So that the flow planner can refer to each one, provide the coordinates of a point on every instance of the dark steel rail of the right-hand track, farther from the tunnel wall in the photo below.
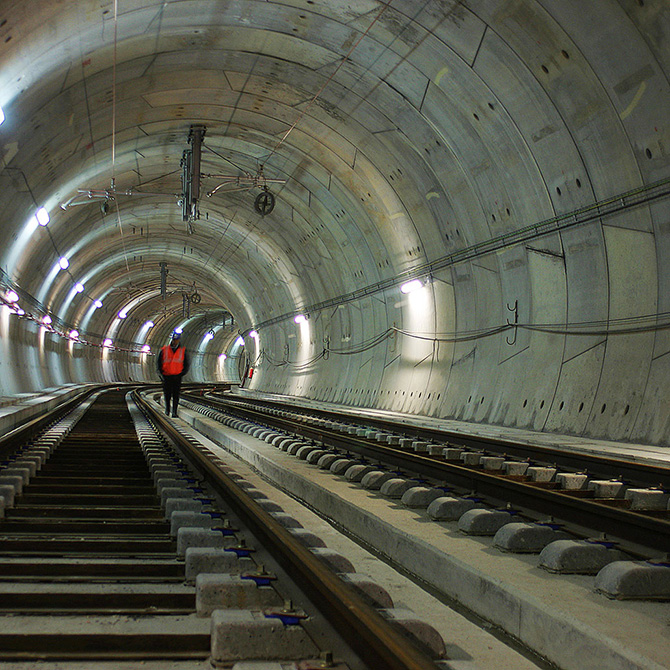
(640, 529)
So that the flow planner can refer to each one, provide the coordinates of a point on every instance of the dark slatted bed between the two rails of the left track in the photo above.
(88, 566)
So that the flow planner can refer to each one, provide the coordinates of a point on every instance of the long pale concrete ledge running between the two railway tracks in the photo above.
(555, 619)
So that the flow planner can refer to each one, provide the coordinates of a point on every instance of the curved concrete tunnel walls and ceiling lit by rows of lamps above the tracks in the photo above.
(448, 209)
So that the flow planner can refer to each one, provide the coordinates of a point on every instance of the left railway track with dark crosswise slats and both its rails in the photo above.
(123, 541)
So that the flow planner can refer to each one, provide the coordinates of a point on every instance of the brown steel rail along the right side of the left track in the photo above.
(371, 636)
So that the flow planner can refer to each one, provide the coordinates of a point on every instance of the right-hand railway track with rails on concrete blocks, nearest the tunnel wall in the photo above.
(565, 491)
